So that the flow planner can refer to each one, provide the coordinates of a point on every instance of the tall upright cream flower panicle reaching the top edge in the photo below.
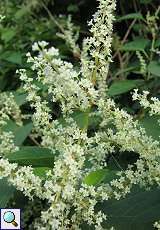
(98, 46)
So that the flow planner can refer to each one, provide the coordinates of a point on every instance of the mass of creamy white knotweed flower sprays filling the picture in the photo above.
(68, 187)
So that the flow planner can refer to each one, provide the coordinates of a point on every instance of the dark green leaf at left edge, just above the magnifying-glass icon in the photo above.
(6, 193)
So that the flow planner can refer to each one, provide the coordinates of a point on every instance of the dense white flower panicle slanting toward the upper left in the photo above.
(63, 82)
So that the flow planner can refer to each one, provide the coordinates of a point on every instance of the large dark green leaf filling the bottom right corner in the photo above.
(139, 210)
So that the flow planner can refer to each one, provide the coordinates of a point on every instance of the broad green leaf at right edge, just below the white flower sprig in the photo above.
(150, 123)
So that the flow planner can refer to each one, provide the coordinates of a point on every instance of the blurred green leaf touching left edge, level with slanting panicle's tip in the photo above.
(12, 56)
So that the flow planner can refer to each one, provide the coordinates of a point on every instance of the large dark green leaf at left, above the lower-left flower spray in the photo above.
(35, 156)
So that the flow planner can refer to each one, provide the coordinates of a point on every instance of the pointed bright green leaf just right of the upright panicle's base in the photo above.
(120, 87)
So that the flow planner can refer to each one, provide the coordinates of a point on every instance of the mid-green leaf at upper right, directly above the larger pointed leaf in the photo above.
(139, 44)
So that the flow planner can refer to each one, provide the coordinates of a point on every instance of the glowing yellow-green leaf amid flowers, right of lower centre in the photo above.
(98, 176)
